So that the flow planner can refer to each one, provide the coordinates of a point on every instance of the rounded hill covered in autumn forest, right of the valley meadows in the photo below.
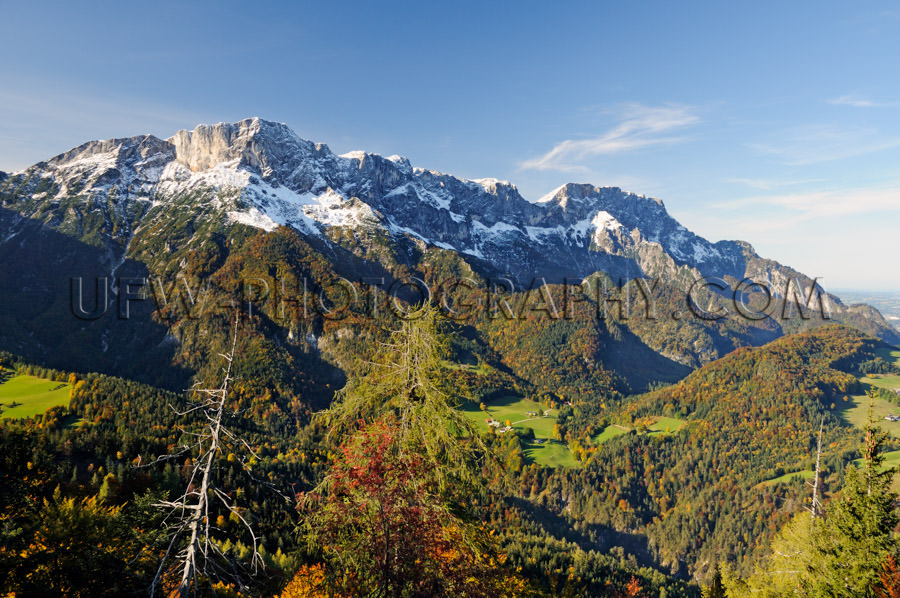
(749, 417)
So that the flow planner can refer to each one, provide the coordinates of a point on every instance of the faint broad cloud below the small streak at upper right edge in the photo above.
(801, 146)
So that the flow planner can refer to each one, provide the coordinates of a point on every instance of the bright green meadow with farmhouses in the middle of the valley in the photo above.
(515, 410)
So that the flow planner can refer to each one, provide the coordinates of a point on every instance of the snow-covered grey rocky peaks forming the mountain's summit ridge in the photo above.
(285, 180)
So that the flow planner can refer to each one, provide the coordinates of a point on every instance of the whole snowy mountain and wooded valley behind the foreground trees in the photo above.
(638, 433)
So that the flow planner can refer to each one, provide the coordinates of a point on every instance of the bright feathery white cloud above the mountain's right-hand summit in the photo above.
(640, 126)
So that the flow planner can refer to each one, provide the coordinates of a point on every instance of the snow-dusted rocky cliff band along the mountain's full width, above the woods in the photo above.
(261, 174)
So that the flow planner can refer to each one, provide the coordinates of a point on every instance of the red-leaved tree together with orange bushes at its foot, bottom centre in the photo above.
(383, 529)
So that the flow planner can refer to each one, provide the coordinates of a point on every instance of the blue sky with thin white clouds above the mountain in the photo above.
(777, 123)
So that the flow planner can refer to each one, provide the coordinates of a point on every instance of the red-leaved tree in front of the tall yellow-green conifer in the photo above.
(380, 525)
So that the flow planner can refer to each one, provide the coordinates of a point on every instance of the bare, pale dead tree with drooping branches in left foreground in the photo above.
(189, 514)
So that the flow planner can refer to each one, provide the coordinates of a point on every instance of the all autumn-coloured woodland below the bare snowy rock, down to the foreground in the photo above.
(356, 458)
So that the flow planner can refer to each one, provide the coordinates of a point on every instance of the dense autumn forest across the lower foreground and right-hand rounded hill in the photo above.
(390, 491)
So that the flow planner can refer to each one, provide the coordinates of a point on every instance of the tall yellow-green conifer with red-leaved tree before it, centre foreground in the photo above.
(390, 517)
